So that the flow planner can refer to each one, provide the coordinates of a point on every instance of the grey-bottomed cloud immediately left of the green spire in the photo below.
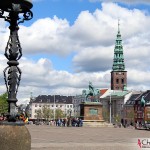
(94, 59)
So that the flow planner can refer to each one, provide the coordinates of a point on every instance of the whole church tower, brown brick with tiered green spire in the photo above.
(118, 73)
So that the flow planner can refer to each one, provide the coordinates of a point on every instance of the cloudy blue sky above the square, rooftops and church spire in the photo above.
(71, 42)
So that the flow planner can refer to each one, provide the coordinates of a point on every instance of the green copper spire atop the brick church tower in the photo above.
(118, 62)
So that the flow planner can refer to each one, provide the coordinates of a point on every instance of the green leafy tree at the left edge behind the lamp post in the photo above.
(3, 103)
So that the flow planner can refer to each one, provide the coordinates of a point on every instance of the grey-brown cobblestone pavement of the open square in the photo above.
(84, 138)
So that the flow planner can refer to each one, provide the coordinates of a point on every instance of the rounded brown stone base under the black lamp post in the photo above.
(14, 136)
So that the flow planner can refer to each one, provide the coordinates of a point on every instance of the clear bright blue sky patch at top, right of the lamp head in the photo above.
(68, 9)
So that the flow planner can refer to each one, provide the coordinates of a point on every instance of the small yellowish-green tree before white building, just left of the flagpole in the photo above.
(47, 113)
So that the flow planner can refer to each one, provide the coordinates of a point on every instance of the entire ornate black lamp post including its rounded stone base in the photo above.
(14, 135)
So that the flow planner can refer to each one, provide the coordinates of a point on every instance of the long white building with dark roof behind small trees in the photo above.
(53, 102)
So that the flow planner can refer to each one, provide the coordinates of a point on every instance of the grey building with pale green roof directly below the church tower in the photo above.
(113, 102)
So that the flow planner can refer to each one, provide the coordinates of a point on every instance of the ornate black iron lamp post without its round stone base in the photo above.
(17, 12)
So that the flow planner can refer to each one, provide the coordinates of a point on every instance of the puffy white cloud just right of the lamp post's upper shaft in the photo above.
(46, 36)
